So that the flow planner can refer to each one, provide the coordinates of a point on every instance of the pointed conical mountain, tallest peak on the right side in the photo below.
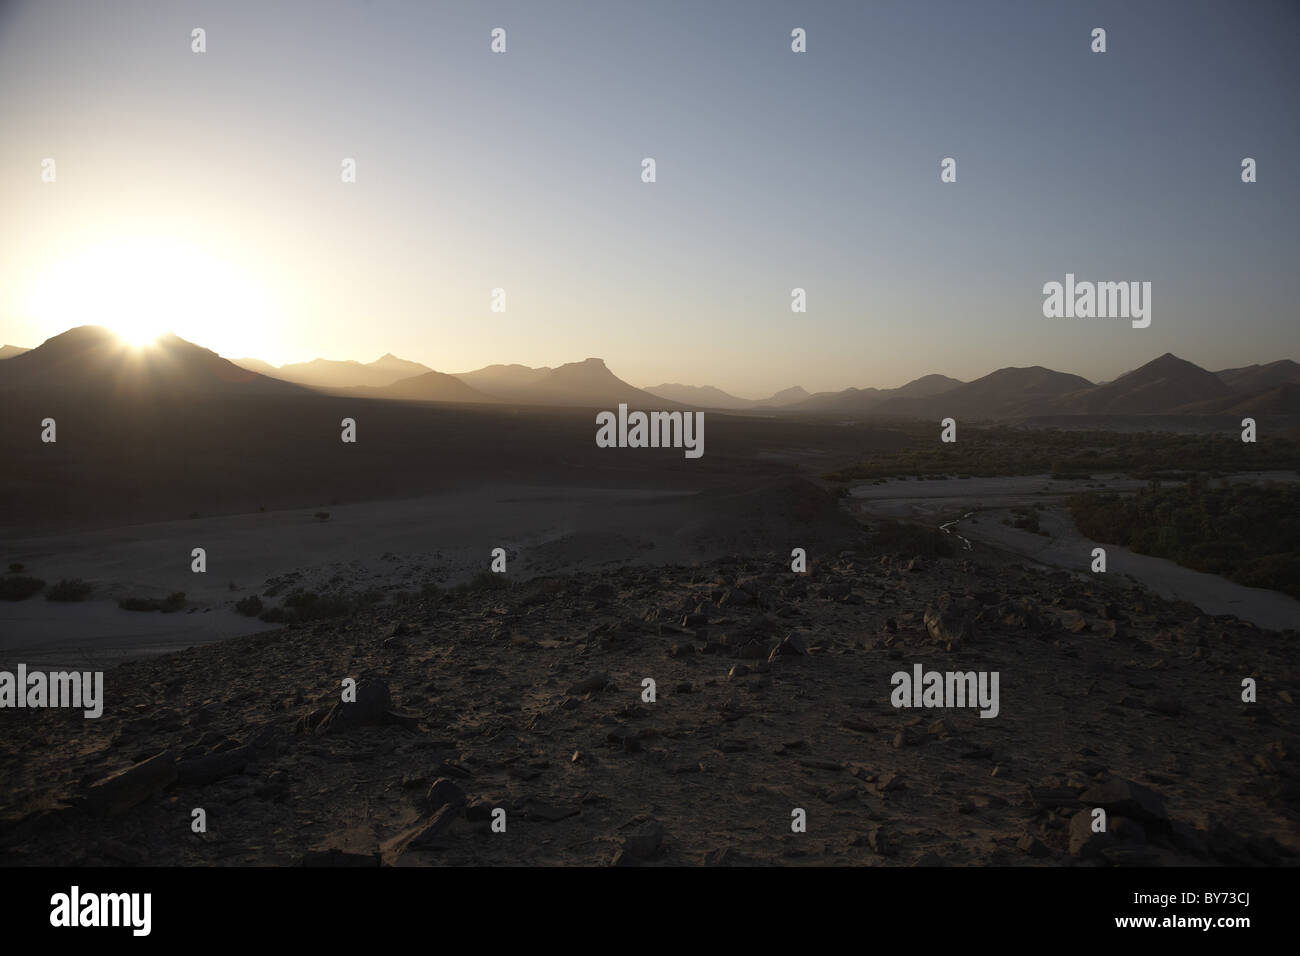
(1162, 386)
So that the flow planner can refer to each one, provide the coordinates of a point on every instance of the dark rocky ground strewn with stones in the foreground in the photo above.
(773, 694)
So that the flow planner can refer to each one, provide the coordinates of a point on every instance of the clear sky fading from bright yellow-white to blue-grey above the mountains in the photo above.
(202, 193)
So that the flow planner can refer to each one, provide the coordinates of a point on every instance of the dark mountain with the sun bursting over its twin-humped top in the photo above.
(94, 360)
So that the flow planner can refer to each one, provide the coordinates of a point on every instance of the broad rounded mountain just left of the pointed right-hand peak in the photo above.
(1007, 393)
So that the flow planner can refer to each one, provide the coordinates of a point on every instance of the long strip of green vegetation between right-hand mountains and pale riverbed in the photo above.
(1068, 455)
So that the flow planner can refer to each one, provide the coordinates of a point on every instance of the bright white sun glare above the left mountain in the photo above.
(141, 289)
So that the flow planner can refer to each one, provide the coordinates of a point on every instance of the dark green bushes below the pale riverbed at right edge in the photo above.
(1246, 533)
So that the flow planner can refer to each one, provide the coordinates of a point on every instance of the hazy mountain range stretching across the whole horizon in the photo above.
(92, 358)
